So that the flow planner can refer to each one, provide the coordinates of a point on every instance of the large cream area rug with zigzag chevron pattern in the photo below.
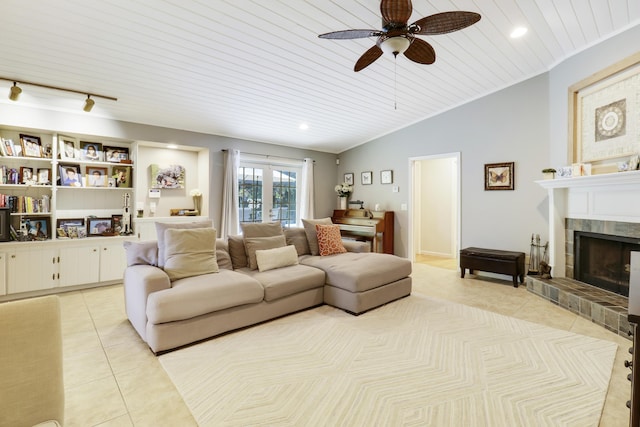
(418, 361)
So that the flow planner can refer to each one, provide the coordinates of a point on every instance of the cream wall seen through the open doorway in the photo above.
(437, 198)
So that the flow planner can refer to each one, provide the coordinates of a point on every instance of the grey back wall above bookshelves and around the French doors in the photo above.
(30, 118)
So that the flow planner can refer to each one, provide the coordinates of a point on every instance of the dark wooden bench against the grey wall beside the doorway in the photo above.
(493, 261)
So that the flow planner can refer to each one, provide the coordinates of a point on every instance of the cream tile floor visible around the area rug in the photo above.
(112, 379)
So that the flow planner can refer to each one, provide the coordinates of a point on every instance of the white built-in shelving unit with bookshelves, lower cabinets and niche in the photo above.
(53, 263)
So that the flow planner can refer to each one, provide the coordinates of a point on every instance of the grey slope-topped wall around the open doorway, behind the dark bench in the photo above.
(511, 125)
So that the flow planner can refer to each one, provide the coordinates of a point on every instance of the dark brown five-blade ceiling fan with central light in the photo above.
(397, 37)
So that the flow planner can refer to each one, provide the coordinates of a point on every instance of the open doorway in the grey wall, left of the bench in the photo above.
(434, 213)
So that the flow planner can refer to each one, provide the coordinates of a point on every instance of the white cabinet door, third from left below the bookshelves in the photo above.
(79, 265)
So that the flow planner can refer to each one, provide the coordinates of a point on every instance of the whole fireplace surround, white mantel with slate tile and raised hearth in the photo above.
(605, 204)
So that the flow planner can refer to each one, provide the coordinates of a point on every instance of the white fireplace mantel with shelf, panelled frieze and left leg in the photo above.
(605, 197)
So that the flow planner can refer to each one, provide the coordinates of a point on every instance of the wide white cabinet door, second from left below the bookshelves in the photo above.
(32, 270)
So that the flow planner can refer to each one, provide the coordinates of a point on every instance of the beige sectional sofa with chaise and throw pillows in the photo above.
(175, 295)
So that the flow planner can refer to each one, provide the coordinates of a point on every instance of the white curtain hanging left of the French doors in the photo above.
(229, 223)
